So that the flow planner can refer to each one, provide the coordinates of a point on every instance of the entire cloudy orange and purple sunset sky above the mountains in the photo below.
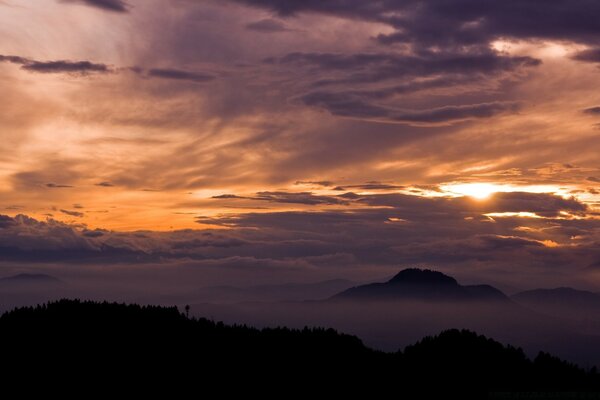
(271, 140)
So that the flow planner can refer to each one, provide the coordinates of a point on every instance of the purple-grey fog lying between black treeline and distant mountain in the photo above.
(382, 325)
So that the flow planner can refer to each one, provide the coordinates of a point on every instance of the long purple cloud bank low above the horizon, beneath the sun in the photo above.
(371, 231)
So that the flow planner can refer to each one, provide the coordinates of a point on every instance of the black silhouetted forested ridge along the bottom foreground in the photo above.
(108, 345)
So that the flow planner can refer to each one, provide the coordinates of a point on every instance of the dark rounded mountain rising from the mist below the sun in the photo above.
(422, 284)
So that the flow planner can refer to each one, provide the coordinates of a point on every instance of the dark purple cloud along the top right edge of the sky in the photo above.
(459, 23)
